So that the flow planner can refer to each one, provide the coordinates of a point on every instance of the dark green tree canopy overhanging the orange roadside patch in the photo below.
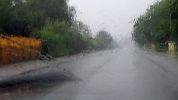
(25, 16)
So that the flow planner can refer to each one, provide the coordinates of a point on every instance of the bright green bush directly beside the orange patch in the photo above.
(61, 40)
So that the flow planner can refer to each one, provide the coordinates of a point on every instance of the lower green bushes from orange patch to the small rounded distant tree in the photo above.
(64, 40)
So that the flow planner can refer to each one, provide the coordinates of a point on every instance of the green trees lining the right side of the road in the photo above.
(158, 25)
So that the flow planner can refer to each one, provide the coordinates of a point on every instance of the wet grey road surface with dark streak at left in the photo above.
(127, 73)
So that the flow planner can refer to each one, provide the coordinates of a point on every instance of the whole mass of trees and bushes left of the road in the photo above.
(53, 21)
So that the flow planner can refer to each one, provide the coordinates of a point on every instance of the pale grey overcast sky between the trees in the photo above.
(111, 15)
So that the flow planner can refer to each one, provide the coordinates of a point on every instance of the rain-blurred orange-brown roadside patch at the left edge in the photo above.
(15, 49)
